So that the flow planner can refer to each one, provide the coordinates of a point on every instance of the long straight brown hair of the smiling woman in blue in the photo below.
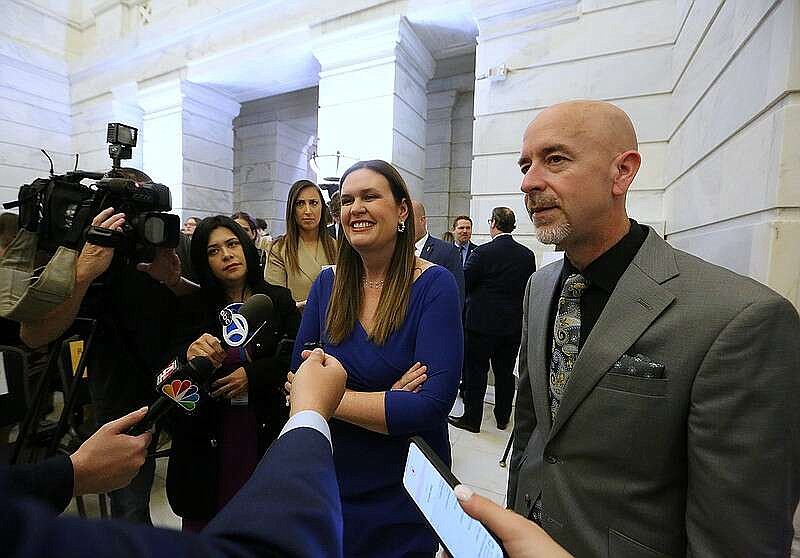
(347, 296)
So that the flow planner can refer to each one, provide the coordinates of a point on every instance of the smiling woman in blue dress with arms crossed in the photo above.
(392, 320)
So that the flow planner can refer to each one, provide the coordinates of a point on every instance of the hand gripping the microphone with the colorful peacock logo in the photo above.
(110, 458)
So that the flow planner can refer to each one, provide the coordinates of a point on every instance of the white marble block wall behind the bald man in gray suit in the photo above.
(717, 126)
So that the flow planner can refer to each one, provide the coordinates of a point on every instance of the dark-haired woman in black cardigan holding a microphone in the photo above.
(215, 451)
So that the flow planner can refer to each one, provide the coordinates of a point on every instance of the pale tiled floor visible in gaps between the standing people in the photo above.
(475, 463)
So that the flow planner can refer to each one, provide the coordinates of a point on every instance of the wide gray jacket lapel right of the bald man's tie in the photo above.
(638, 299)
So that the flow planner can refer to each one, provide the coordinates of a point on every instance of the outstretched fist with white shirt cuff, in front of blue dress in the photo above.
(318, 384)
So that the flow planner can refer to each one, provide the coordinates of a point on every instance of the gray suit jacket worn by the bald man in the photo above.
(702, 462)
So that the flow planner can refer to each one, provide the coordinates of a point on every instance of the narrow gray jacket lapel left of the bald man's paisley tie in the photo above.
(542, 292)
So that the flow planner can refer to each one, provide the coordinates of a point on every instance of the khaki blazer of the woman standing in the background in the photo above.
(310, 260)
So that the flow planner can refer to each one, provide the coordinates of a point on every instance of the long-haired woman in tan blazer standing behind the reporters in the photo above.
(296, 258)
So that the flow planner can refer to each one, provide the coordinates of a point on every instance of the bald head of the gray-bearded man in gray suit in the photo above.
(578, 161)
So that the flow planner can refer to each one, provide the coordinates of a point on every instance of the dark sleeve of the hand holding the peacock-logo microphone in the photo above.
(50, 481)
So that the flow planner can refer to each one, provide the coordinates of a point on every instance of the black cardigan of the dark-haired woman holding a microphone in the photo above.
(192, 474)
